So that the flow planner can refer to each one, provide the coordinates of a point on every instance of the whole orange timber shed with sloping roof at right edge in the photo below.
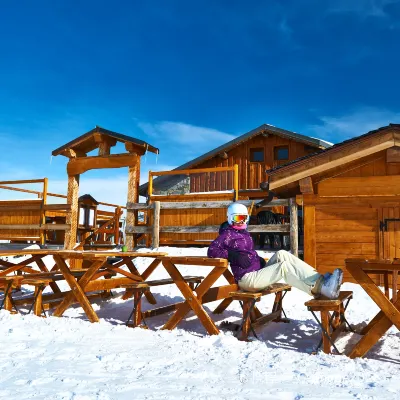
(350, 195)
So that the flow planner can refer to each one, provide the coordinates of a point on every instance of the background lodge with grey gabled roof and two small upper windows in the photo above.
(254, 153)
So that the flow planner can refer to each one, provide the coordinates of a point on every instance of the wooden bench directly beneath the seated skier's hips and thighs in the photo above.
(252, 318)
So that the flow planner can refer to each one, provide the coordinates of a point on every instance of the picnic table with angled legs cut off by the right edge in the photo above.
(390, 310)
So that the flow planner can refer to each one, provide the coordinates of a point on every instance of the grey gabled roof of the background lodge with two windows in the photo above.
(262, 129)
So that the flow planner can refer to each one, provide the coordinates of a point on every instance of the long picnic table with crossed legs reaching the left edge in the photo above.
(89, 280)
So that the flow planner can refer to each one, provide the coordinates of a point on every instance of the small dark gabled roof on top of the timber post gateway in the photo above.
(87, 142)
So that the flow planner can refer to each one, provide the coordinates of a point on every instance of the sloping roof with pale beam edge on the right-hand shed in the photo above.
(333, 157)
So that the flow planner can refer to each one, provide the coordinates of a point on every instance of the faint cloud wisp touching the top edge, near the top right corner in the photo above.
(363, 8)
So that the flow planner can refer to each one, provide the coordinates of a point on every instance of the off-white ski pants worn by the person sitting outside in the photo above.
(282, 265)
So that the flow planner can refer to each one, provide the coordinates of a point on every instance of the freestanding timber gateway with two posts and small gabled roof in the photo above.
(79, 162)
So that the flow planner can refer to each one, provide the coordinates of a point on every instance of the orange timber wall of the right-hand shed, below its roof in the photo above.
(342, 220)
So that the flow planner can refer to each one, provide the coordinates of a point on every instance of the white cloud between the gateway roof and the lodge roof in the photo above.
(182, 133)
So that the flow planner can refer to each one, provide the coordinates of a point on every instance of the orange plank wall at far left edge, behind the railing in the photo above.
(12, 213)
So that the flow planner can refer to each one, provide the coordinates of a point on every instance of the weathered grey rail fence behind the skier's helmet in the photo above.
(155, 228)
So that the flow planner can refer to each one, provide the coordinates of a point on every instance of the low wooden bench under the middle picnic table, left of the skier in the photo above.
(140, 288)
